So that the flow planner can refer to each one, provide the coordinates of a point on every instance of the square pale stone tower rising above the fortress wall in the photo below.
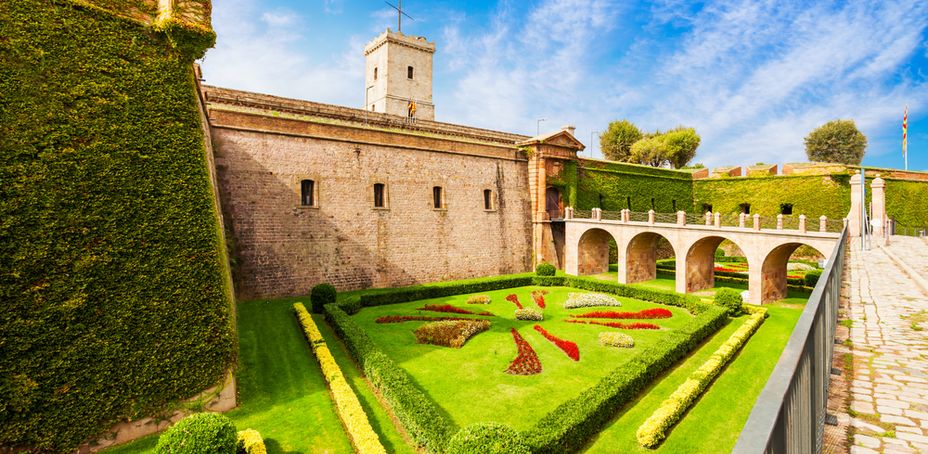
(398, 68)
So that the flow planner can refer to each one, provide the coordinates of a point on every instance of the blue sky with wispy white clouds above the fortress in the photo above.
(753, 77)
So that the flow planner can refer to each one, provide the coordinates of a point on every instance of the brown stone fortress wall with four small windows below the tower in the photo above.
(283, 248)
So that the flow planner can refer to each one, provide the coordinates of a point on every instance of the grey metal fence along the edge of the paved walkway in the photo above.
(789, 415)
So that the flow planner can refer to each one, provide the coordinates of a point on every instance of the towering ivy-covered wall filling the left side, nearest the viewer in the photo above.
(112, 281)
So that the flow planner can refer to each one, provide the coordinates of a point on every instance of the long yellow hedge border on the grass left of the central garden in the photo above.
(349, 409)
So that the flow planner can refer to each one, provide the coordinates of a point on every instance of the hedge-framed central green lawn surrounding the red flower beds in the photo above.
(470, 383)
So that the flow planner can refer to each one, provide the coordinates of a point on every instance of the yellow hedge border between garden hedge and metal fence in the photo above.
(653, 431)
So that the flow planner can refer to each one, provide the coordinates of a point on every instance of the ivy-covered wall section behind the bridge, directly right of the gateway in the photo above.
(614, 186)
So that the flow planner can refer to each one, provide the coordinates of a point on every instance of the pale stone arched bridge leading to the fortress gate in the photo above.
(587, 235)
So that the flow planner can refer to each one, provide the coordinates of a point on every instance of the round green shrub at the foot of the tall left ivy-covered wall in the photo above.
(200, 433)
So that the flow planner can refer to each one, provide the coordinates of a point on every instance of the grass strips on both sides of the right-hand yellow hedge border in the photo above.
(717, 418)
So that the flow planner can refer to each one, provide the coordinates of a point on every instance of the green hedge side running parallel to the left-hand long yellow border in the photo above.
(419, 415)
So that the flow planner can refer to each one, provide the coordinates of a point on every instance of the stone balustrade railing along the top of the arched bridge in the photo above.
(780, 222)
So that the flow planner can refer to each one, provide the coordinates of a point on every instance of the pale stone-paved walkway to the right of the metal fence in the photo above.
(889, 335)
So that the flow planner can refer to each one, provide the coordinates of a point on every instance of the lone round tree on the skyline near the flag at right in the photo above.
(837, 141)
